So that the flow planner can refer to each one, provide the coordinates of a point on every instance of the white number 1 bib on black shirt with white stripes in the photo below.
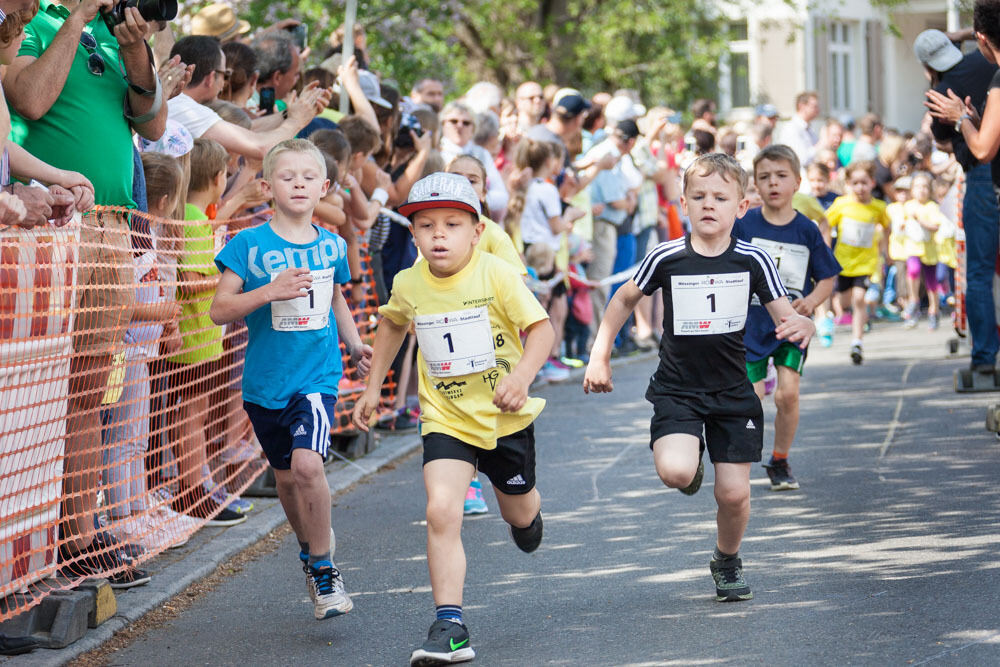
(710, 304)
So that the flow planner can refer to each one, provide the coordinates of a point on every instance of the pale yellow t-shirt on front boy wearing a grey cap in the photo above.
(462, 405)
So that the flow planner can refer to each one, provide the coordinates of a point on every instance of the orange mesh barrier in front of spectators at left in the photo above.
(120, 409)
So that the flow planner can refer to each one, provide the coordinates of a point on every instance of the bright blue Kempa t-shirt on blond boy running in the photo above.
(294, 347)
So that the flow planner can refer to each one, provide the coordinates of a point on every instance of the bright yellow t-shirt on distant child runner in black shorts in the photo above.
(858, 227)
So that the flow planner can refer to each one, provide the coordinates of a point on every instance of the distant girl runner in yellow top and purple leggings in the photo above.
(923, 220)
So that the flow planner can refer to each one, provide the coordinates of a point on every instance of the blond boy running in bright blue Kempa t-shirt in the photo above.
(284, 277)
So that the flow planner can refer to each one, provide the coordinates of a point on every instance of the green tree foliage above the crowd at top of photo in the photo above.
(667, 49)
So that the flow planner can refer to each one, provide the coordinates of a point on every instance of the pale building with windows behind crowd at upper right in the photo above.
(843, 49)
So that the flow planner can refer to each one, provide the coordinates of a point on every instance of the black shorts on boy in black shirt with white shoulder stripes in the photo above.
(732, 420)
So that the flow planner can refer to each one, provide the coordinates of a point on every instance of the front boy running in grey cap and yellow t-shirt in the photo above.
(469, 308)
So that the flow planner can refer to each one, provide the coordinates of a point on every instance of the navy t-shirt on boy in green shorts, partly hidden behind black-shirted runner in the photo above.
(802, 258)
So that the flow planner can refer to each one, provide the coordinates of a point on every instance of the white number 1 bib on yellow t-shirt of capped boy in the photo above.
(456, 343)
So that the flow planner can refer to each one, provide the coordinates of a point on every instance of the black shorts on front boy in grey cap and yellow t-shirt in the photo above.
(510, 467)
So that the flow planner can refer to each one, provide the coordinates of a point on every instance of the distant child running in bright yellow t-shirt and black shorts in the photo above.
(857, 217)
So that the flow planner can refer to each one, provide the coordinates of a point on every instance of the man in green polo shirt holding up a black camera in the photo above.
(83, 81)
